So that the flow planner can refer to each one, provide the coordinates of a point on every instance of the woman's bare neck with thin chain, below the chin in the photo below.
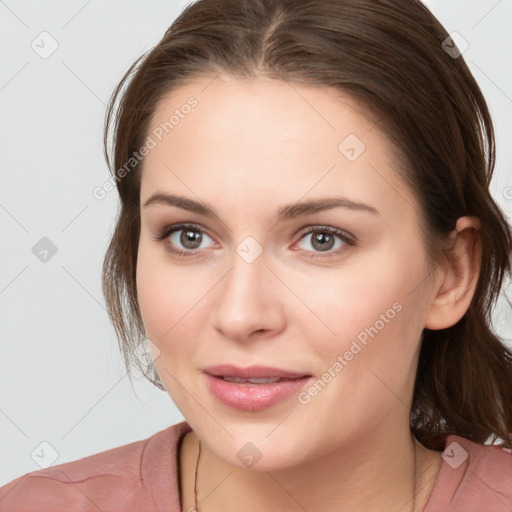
(366, 475)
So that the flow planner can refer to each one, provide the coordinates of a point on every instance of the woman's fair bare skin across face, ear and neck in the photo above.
(247, 148)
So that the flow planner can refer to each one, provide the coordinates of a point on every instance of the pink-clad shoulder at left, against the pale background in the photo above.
(117, 479)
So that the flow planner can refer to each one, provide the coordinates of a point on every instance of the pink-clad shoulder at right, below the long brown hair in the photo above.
(473, 477)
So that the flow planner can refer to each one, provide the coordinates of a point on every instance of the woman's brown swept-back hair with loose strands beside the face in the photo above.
(388, 55)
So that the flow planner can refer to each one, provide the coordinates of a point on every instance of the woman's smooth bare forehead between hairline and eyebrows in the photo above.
(269, 139)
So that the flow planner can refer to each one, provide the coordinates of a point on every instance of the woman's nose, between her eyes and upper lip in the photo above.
(249, 300)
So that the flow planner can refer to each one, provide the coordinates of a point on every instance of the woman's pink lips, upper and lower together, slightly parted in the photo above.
(253, 397)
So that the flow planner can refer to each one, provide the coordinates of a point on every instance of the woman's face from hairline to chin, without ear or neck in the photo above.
(337, 292)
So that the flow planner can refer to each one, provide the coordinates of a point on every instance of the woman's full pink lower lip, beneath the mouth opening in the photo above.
(253, 397)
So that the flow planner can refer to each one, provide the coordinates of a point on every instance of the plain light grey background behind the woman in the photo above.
(61, 375)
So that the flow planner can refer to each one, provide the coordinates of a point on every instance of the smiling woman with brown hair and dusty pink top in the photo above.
(308, 243)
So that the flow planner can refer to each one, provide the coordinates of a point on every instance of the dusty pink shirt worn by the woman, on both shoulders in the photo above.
(142, 476)
